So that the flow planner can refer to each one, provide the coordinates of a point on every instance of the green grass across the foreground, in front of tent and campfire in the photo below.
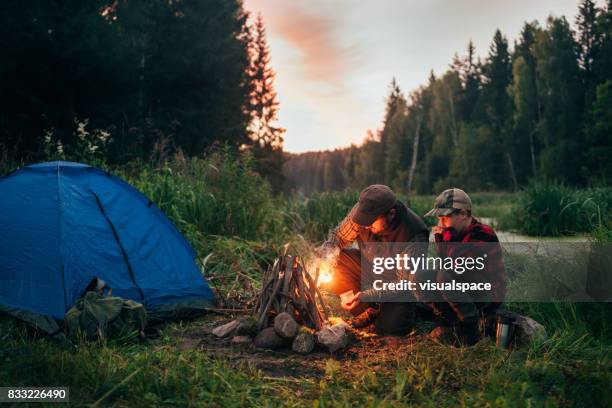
(571, 368)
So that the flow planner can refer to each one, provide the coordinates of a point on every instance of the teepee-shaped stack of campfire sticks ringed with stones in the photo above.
(290, 310)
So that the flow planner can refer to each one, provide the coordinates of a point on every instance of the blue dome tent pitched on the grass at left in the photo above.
(63, 224)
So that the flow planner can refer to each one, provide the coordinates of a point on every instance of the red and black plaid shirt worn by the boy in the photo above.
(480, 237)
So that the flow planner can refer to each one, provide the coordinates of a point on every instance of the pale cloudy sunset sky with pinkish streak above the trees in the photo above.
(334, 59)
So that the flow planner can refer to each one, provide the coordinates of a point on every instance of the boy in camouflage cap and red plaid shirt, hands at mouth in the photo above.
(459, 234)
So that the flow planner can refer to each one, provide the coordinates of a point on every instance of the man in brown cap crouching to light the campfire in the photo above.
(378, 218)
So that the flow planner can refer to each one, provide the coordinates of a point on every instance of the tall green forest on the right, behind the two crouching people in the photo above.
(536, 107)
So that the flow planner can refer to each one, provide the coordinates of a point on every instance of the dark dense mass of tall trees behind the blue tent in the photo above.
(141, 71)
